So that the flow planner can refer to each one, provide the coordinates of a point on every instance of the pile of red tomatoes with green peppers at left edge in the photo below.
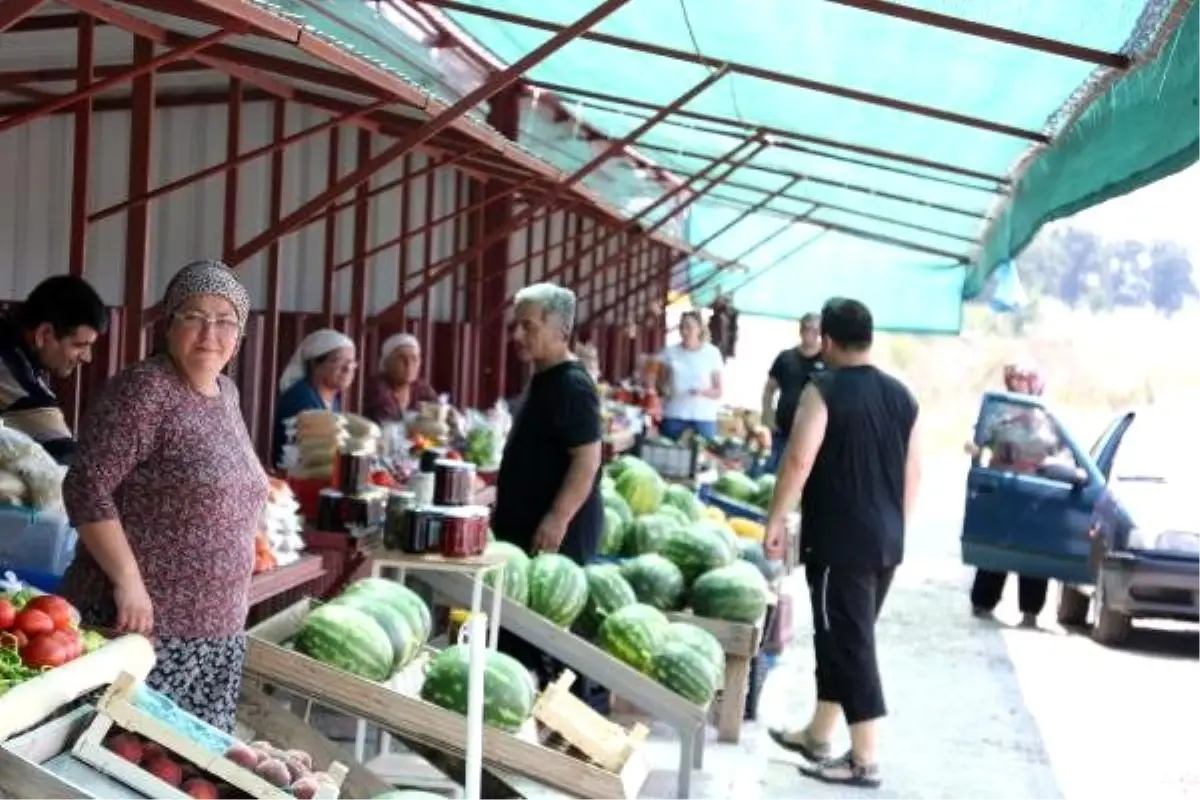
(39, 633)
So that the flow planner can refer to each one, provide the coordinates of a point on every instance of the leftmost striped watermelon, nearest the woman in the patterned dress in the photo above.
(349, 640)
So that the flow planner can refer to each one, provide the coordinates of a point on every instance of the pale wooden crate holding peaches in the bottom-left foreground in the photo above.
(118, 708)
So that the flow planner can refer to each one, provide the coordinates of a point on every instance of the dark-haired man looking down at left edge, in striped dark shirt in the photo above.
(50, 335)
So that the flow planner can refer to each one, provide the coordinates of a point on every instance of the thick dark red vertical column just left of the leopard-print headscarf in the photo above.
(137, 224)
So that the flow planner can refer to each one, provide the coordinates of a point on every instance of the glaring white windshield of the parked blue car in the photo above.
(1157, 448)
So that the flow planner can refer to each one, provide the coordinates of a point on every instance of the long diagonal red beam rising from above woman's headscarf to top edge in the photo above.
(430, 130)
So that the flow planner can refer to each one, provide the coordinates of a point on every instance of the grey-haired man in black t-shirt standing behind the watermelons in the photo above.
(548, 496)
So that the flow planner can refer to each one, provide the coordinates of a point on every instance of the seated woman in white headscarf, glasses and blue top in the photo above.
(320, 371)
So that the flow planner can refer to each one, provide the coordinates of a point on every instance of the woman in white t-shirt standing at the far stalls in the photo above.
(694, 382)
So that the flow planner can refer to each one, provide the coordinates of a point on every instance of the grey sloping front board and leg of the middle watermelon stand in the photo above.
(687, 719)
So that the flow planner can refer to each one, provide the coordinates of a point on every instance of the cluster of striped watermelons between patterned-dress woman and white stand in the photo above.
(373, 630)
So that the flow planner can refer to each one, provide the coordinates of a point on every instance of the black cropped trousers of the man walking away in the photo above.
(845, 606)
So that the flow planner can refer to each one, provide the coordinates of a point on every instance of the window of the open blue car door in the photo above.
(1021, 440)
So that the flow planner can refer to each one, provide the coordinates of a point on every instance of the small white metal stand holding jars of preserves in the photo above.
(398, 566)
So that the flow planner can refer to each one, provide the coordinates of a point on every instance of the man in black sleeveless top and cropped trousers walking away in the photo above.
(853, 461)
